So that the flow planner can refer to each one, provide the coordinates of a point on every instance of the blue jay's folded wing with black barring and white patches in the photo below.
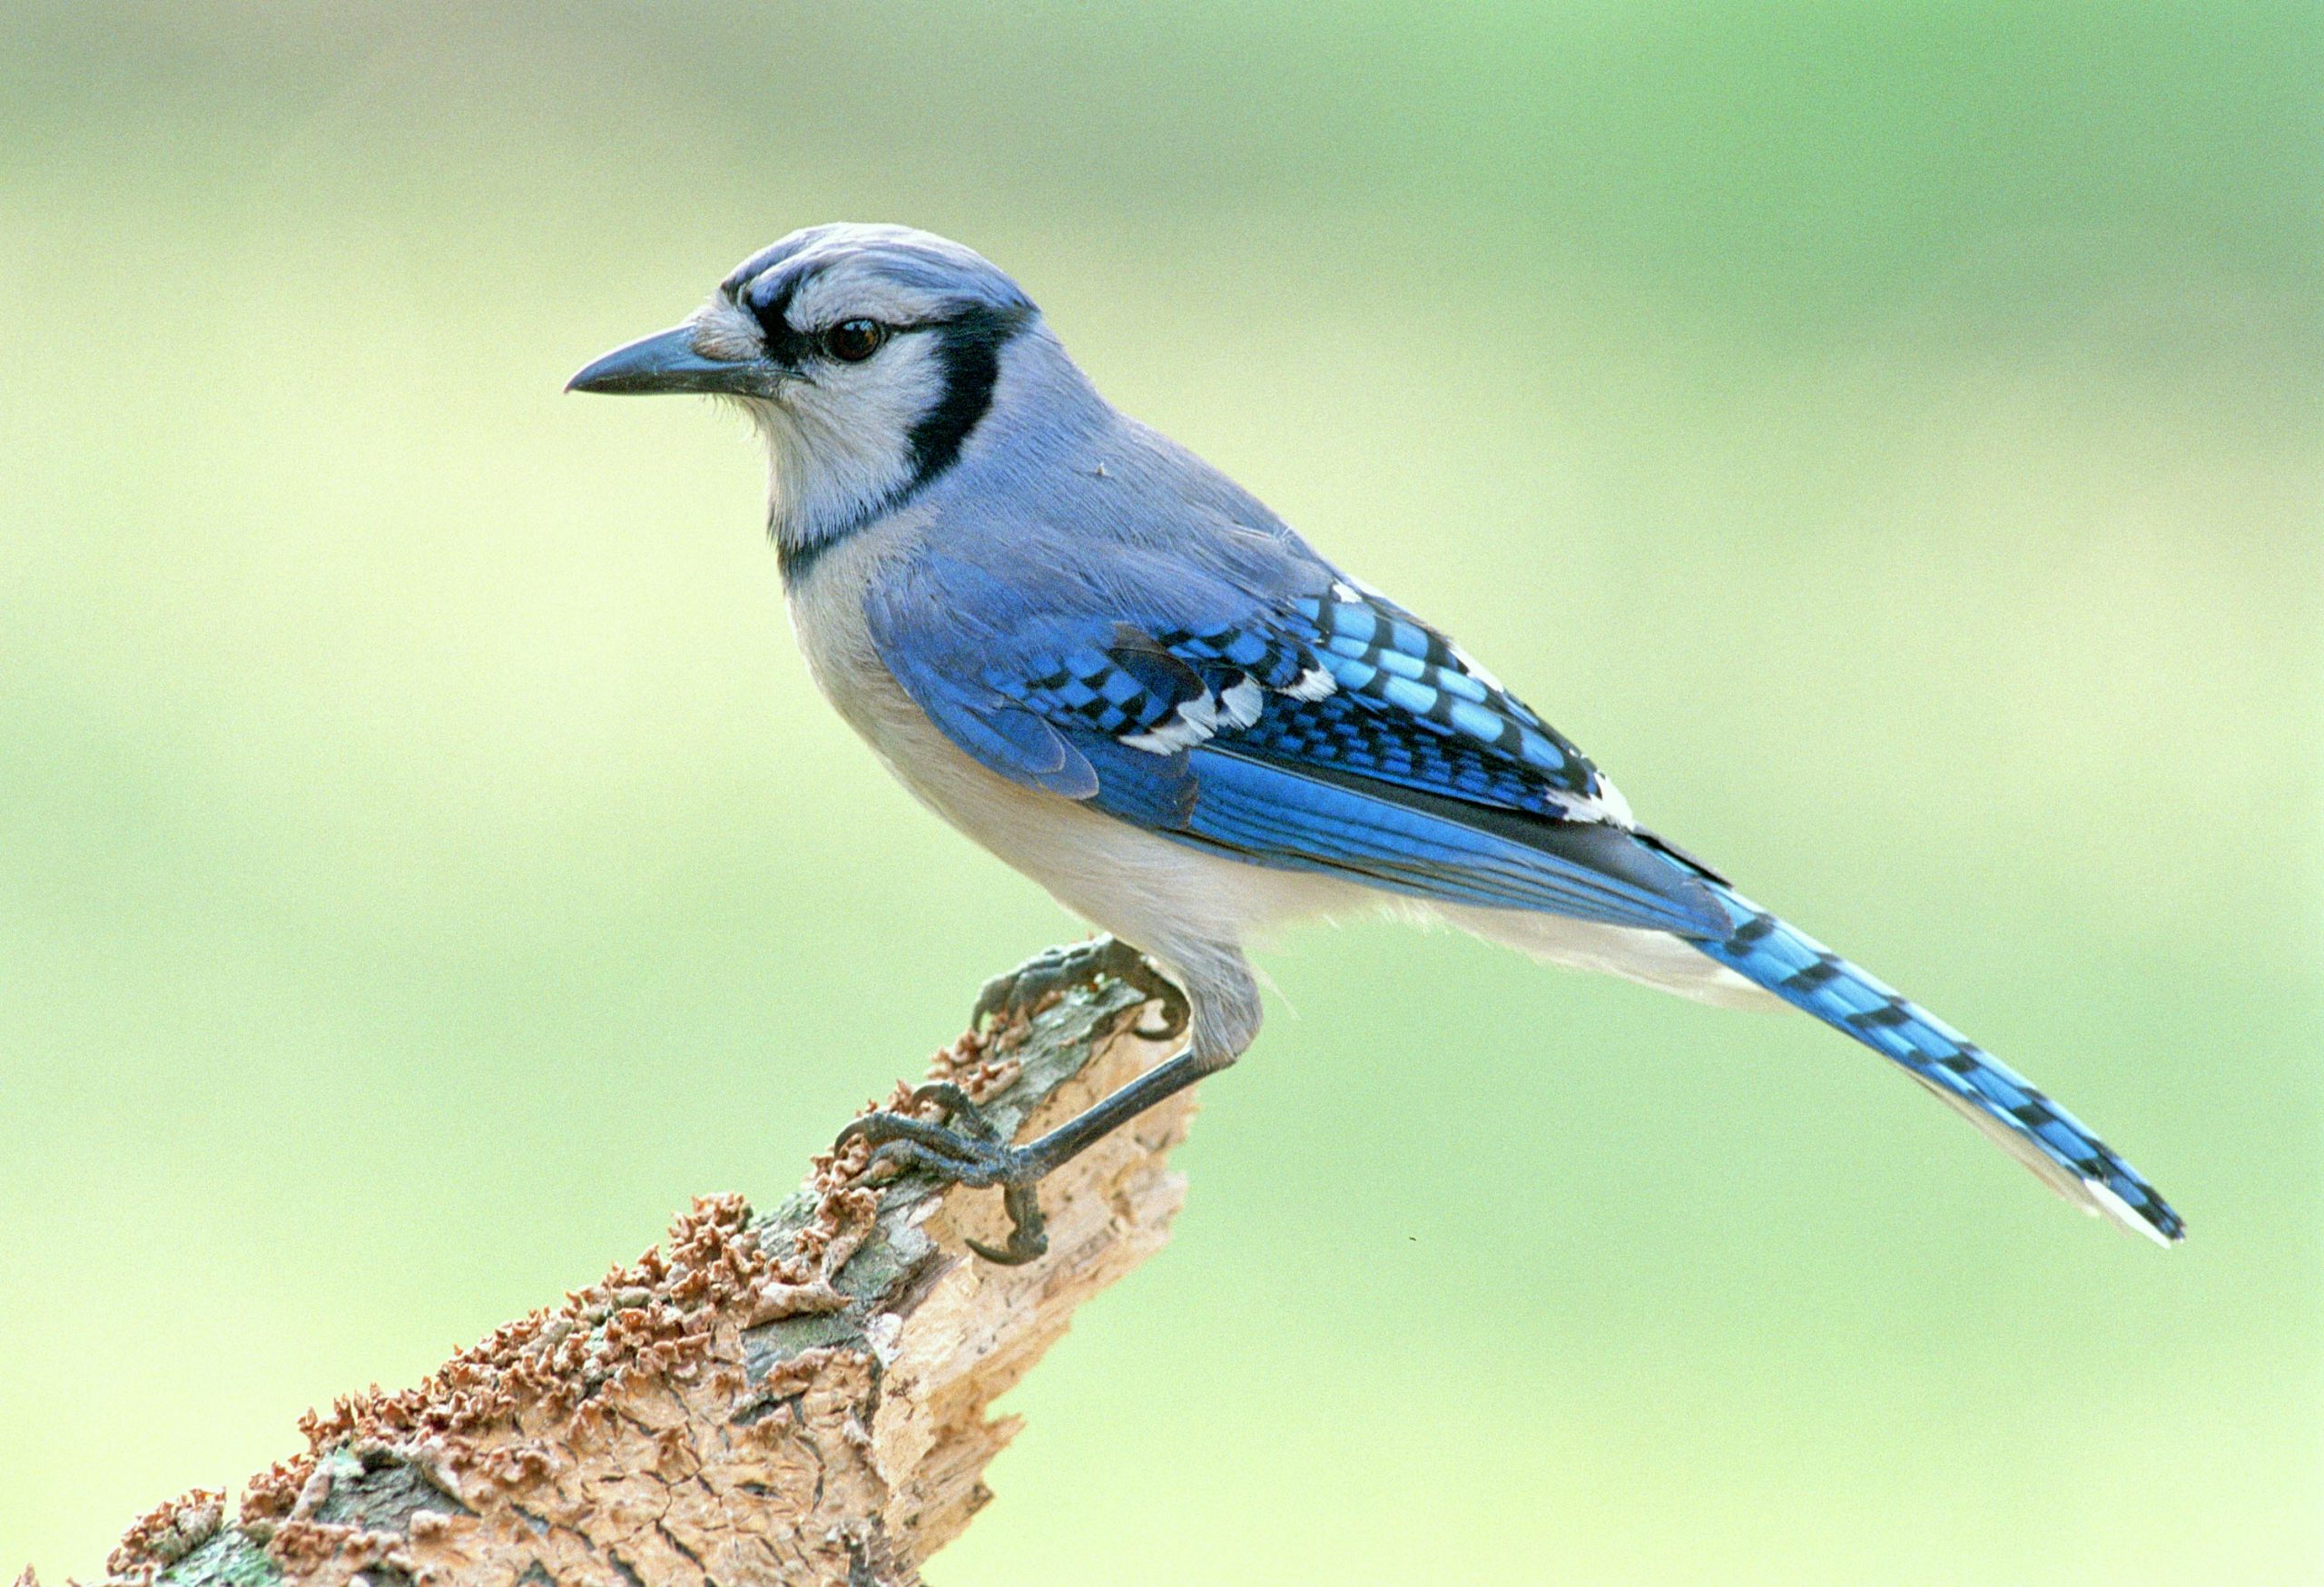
(1319, 728)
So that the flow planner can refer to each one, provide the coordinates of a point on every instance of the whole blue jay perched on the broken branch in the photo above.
(1124, 675)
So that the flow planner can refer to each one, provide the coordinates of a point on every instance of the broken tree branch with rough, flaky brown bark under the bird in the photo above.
(768, 1398)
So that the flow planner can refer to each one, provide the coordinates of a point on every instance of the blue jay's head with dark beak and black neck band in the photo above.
(866, 354)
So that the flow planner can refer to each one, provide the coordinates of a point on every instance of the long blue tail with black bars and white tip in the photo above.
(2039, 1133)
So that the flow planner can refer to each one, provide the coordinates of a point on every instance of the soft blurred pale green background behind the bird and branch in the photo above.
(1888, 438)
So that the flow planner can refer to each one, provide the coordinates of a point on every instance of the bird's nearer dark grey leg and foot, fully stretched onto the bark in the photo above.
(970, 1151)
